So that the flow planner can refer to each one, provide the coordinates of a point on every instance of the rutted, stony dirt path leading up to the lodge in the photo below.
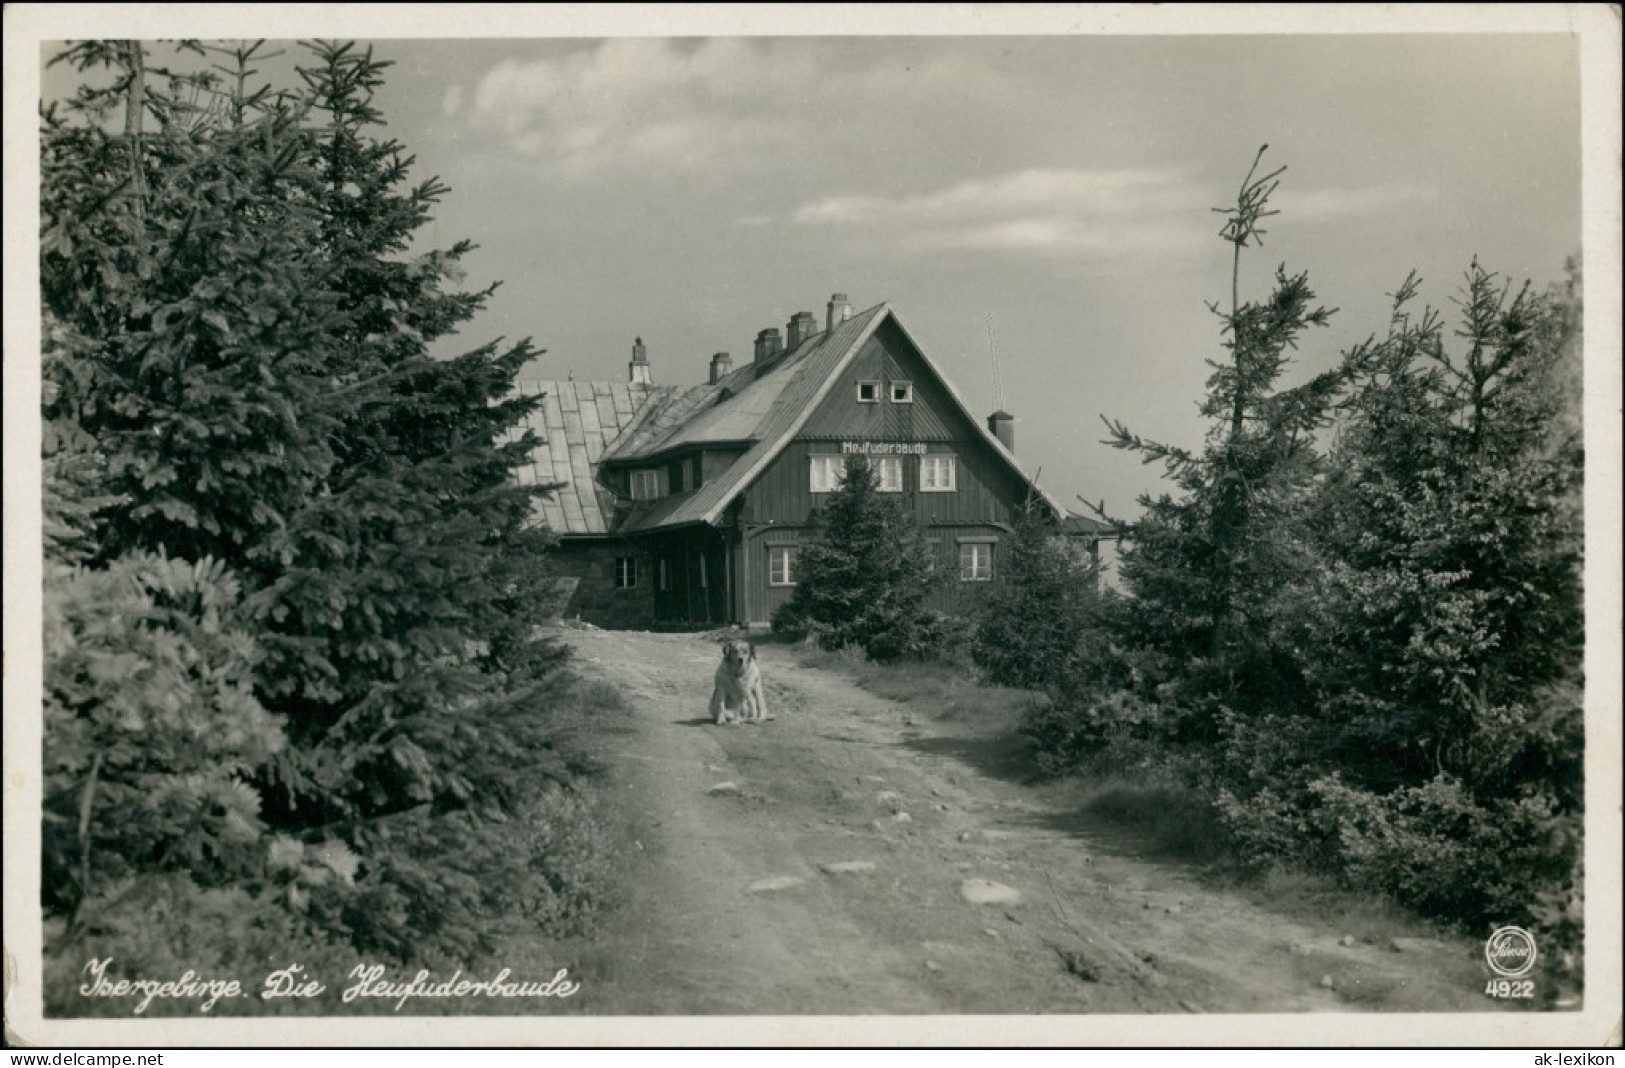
(843, 776)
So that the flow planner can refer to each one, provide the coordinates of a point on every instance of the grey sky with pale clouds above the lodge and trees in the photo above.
(1044, 201)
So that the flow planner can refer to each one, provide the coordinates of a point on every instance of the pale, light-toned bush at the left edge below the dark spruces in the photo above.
(152, 726)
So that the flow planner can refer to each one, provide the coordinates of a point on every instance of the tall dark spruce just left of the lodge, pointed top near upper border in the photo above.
(409, 589)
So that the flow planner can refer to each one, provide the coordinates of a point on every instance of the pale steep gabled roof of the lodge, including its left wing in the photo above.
(761, 409)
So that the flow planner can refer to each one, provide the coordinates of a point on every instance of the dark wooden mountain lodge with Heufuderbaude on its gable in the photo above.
(688, 505)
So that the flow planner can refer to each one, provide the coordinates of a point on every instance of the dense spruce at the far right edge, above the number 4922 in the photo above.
(1447, 632)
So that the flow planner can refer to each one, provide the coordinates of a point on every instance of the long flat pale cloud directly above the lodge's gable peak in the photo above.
(1049, 212)
